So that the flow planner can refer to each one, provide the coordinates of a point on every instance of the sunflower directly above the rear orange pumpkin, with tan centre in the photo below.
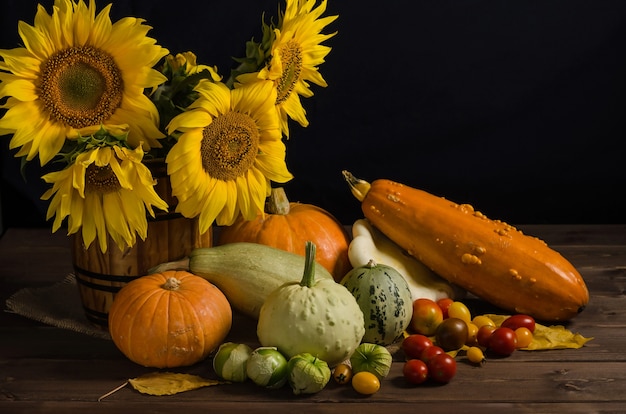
(228, 153)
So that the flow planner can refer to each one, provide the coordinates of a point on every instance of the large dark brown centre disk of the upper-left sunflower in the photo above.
(81, 86)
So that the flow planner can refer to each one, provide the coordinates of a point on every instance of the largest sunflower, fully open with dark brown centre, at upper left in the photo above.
(77, 72)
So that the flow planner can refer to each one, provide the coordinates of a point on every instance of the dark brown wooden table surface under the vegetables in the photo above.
(44, 369)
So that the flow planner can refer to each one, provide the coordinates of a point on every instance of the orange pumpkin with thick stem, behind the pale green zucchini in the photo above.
(288, 226)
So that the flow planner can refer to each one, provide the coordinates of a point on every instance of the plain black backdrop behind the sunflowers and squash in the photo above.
(516, 107)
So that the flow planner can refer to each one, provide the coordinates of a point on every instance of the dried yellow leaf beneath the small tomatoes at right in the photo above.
(549, 337)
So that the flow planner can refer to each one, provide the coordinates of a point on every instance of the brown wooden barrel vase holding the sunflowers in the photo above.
(101, 275)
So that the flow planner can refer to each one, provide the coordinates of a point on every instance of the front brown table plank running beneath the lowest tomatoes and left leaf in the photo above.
(500, 381)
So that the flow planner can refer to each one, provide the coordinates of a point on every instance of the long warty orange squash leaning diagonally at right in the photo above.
(489, 258)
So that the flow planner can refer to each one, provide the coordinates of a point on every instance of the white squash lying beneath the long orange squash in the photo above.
(368, 243)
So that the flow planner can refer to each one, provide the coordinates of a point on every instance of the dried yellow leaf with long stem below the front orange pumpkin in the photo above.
(169, 383)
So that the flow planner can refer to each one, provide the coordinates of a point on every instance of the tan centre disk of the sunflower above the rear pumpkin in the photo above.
(230, 145)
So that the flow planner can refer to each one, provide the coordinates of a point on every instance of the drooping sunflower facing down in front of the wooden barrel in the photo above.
(107, 190)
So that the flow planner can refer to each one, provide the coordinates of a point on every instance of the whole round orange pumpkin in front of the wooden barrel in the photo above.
(169, 319)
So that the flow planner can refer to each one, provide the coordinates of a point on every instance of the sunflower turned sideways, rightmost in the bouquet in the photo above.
(296, 53)
